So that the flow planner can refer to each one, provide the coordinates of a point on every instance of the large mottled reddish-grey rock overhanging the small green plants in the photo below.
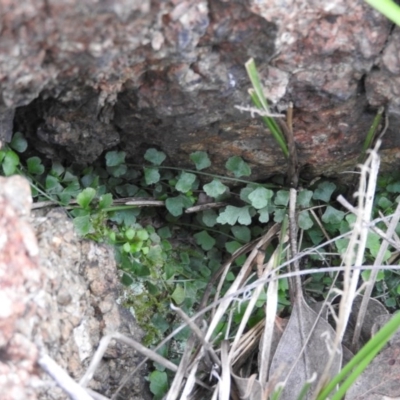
(84, 76)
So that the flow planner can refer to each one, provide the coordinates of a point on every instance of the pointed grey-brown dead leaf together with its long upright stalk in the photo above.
(306, 343)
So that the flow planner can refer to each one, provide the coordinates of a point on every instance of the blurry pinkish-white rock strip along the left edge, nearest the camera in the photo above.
(20, 284)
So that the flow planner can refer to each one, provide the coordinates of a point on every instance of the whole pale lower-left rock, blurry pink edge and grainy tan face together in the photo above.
(58, 295)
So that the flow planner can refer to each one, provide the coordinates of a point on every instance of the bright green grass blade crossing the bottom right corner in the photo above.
(361, 360)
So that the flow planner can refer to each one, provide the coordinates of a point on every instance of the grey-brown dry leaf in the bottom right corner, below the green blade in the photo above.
(381, 379)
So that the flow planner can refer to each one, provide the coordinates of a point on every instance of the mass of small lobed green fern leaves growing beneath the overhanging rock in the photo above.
(163, 265)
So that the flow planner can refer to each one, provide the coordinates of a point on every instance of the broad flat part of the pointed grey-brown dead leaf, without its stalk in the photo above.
(315, 355)
